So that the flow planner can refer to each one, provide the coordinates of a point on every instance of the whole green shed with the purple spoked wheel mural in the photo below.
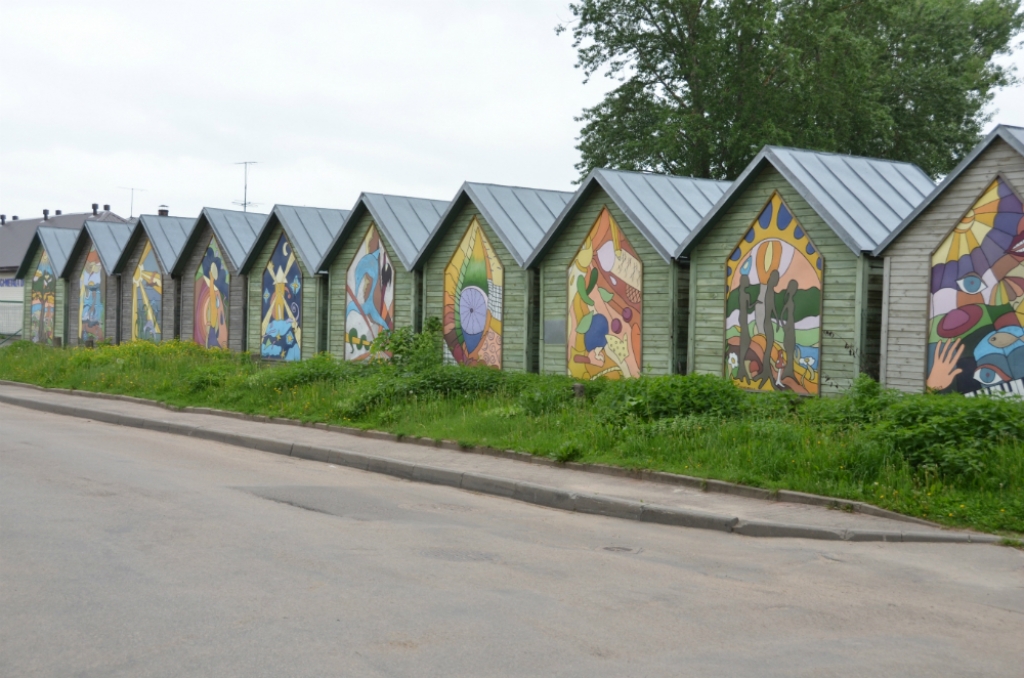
(475, 275)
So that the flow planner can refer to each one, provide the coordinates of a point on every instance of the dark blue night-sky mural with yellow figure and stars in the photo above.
(282, 310)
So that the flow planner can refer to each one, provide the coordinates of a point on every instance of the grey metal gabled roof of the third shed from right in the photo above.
(665, 208)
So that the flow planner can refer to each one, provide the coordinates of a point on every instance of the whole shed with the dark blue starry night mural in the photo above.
(287, 315)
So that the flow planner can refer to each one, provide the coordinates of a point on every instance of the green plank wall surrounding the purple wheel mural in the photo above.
(515, 312)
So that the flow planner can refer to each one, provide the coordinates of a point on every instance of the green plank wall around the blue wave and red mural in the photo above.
(405, 284)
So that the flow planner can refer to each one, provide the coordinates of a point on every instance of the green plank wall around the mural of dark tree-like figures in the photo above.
(841, 346)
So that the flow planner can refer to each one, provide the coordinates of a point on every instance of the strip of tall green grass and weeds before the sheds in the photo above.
(955, 460)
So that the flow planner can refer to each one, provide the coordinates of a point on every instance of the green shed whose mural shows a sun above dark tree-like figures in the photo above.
(786, 294)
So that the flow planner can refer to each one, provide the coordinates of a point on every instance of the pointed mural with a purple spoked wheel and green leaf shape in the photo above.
(475, 282)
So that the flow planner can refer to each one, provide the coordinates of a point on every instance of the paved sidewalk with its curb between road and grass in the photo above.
(551, 486)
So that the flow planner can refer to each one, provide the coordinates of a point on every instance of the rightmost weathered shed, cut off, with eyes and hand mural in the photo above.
(954, 314)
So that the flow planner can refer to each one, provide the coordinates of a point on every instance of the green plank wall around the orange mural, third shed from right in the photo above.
(661, 287)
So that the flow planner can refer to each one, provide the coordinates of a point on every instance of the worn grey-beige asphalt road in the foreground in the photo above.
(130, 554)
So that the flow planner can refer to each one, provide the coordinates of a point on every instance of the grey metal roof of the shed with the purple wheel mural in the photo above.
(522, 218)
